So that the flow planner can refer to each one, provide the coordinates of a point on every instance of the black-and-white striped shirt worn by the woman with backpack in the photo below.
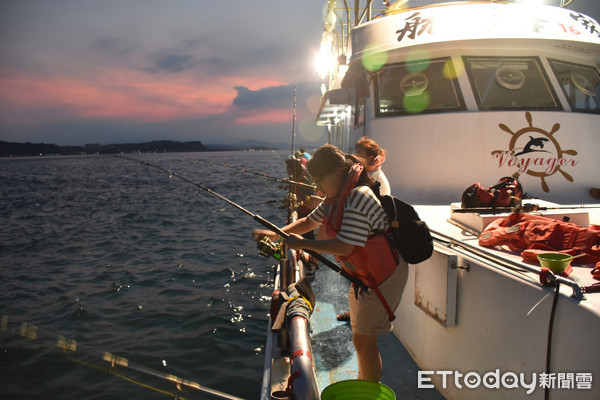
(363, 215)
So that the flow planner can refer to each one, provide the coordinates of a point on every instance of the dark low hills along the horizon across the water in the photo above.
(8, 149)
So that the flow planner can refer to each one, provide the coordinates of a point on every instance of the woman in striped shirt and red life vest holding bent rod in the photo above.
(353, 221)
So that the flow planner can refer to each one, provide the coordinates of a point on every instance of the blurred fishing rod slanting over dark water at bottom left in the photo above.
(107, 362)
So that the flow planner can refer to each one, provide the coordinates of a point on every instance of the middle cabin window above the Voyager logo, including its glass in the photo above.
(510, 83)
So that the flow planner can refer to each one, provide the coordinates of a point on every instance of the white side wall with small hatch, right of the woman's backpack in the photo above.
(498, 332)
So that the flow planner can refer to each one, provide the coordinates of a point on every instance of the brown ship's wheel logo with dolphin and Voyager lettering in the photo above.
(536, 152)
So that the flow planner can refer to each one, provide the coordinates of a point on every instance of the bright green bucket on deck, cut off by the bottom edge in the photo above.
(357, 389)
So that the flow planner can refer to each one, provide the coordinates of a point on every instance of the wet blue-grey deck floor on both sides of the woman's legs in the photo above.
(333, 351)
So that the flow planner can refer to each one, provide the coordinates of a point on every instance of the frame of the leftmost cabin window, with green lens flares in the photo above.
(454, 85)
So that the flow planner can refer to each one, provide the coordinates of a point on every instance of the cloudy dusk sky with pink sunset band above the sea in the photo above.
(114, 71)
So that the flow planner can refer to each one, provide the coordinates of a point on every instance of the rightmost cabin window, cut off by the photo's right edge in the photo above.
(580, 83)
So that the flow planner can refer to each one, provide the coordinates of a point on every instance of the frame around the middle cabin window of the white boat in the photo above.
(517, 86)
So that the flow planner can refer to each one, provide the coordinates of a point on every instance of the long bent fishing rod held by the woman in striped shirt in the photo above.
(257, 218)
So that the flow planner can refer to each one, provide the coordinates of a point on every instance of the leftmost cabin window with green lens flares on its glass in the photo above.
(417, 87)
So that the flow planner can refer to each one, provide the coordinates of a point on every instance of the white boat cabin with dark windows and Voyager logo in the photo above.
(469, 92)
